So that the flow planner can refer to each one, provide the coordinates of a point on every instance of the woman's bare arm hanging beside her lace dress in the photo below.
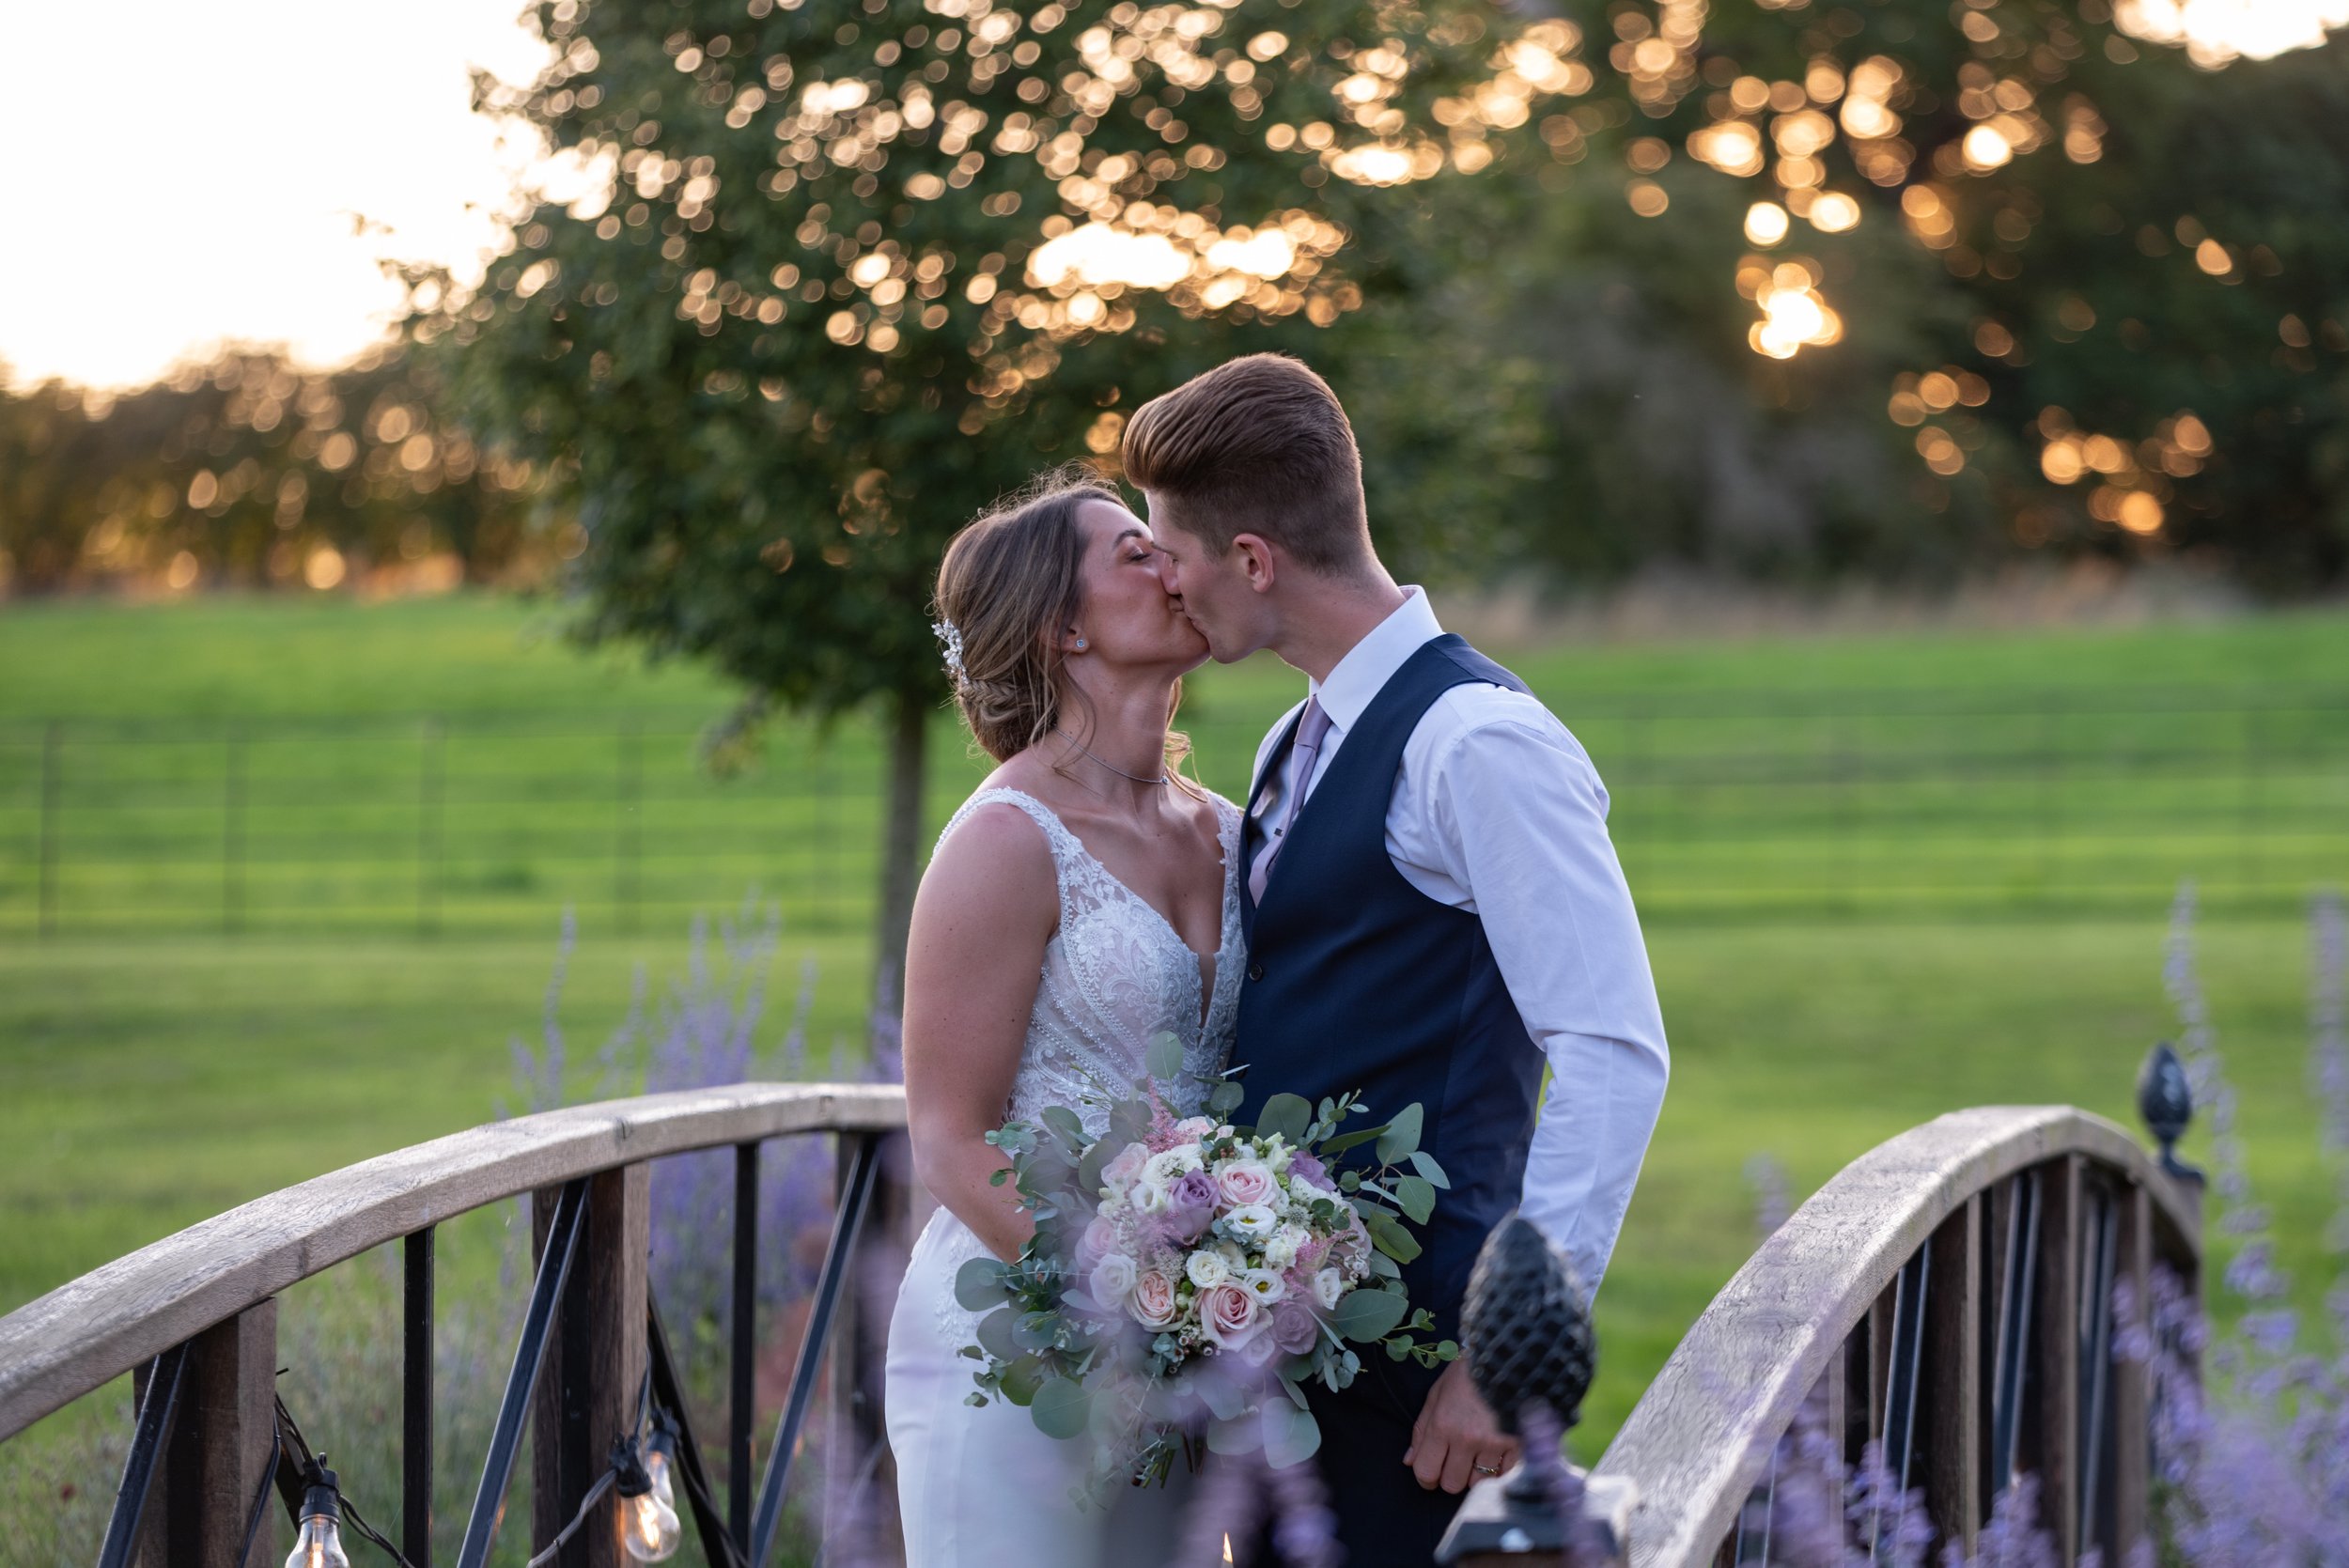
(985, 912)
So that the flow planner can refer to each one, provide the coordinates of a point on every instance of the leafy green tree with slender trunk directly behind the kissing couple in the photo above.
(844, 276)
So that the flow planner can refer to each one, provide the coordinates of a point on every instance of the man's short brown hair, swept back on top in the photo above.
(1256, 445)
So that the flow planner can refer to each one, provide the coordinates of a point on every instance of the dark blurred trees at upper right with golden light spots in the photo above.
(1838, 290)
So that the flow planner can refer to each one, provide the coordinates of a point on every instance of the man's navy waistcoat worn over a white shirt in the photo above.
(1357, 980)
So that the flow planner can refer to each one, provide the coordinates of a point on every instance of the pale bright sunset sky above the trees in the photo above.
(196, 173)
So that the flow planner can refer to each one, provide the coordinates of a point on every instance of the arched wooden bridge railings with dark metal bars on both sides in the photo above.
(1946, 1297)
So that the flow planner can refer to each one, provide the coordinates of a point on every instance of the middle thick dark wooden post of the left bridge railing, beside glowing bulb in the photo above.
(595, 1365)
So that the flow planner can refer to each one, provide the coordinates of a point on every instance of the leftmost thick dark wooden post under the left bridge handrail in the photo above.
(224, 1442)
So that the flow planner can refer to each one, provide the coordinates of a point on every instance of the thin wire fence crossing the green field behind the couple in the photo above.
(1725, 809)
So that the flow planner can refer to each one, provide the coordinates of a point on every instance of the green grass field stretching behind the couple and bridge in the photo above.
(168, 1072)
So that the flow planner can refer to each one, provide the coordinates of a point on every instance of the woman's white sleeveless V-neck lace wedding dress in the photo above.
(983, 1487)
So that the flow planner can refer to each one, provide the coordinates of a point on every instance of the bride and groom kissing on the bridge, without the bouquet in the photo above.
(1418, 903)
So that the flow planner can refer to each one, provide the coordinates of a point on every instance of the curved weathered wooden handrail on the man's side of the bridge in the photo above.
(1704, 1433)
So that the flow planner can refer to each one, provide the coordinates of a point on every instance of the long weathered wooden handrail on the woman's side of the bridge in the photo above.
(130, 1311)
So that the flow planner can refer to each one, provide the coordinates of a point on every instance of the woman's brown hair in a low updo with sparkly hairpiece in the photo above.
(1009, 588)
